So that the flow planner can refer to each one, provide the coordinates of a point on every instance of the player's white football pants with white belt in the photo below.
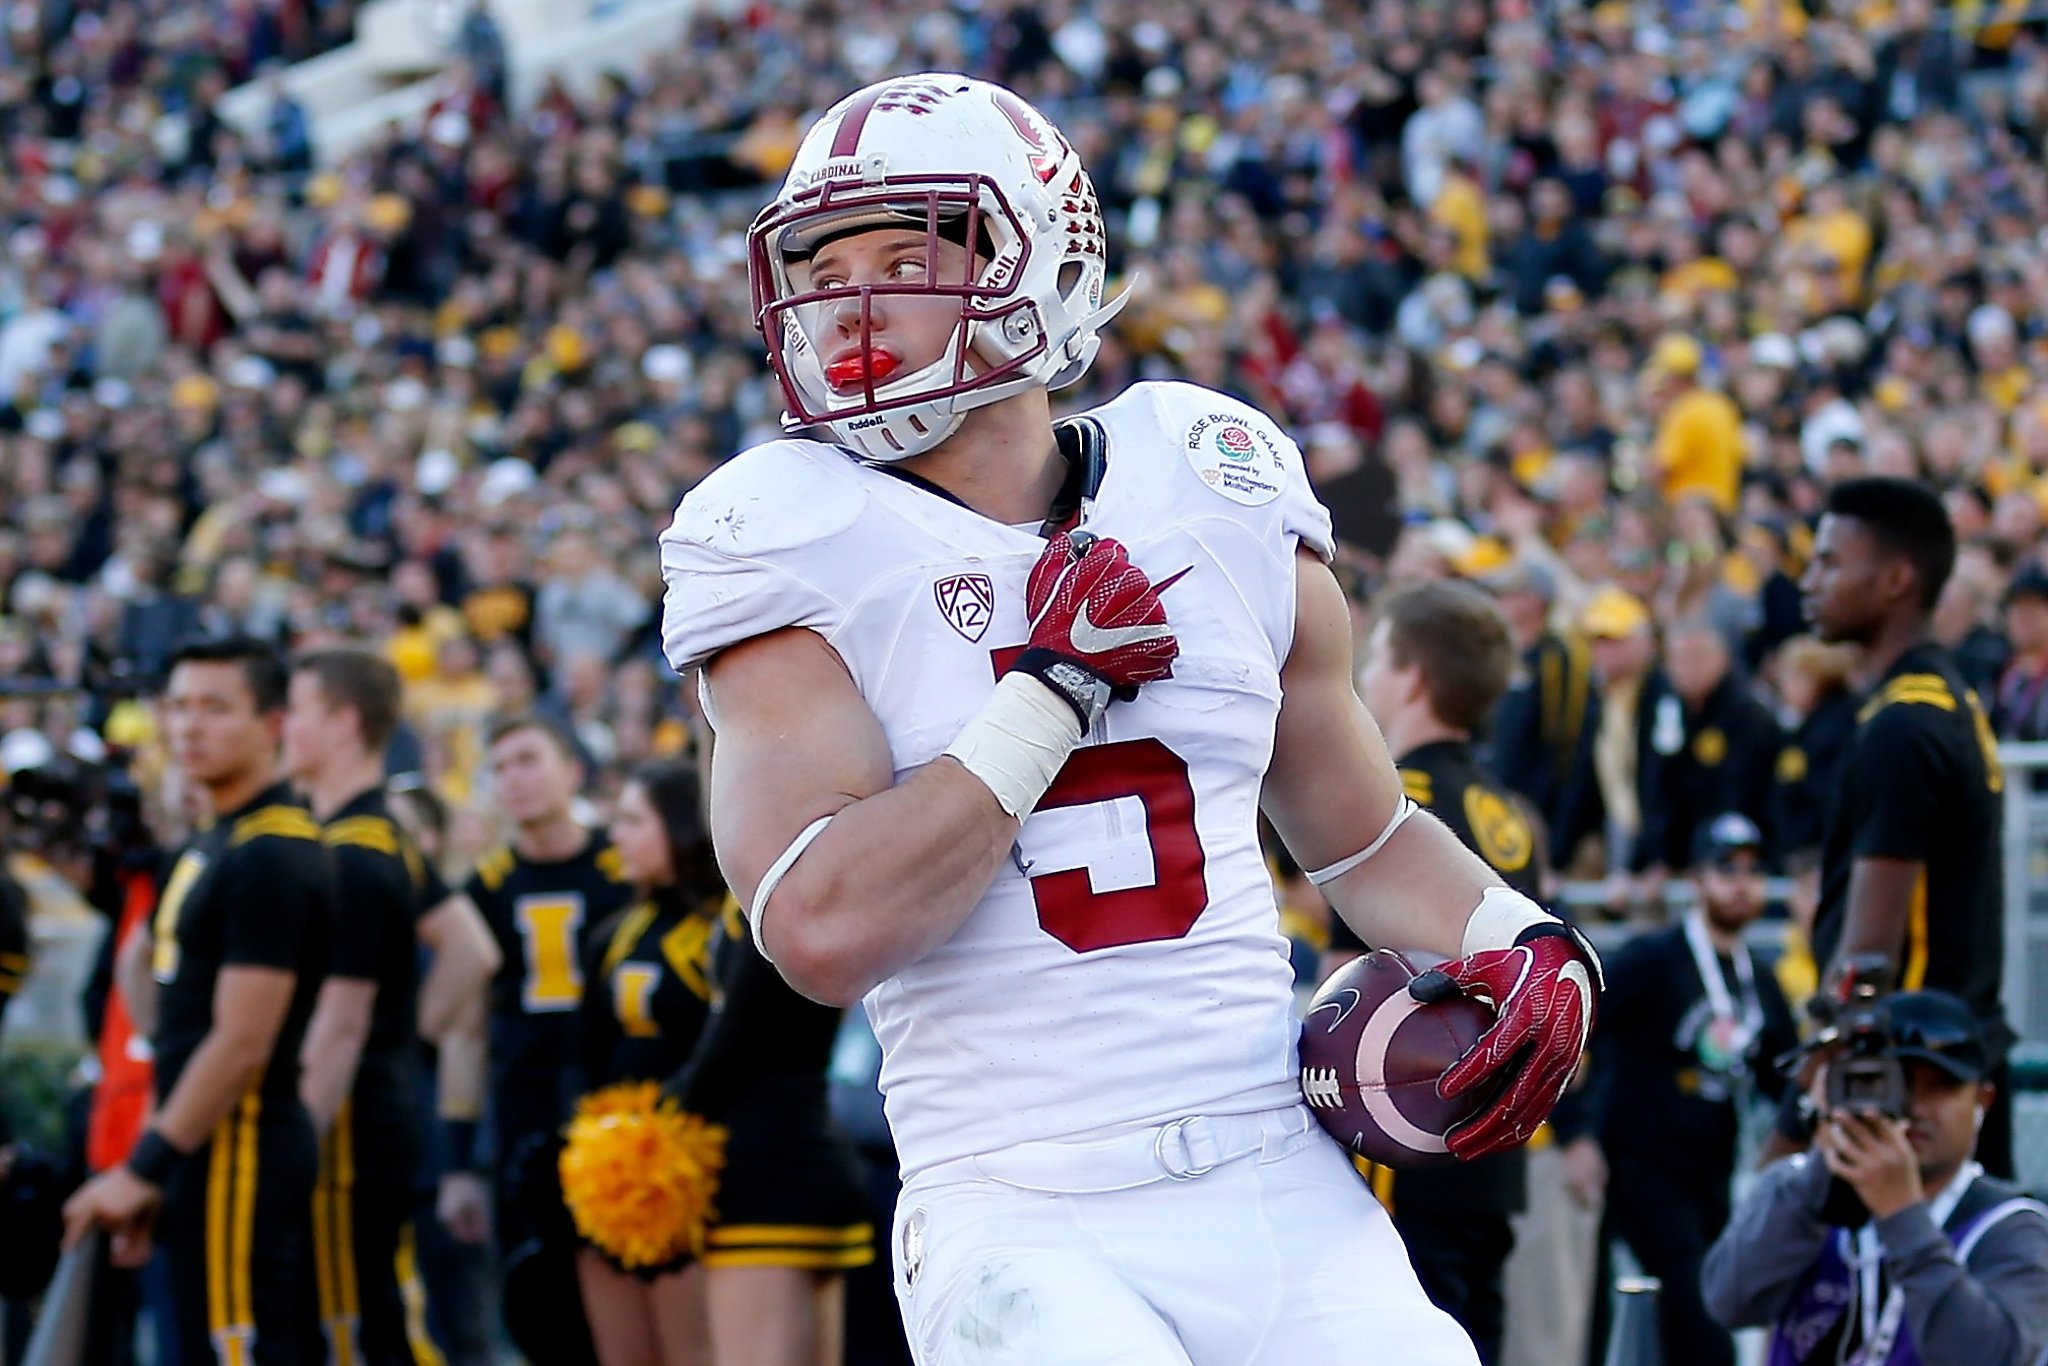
(1209, 1242)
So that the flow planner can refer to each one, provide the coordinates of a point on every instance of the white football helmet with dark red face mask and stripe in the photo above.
(964, 161)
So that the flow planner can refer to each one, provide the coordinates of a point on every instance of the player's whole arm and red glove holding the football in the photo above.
(1408, 882)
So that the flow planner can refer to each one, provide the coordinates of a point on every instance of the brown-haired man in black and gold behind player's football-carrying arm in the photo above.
(1435, 667)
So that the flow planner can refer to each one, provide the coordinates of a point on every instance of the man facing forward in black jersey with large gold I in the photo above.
(542, 896)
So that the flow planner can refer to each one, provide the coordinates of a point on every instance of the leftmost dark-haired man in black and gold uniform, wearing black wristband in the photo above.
(237, 949)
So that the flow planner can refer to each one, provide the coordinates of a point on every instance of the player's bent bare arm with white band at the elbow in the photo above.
(900, 865)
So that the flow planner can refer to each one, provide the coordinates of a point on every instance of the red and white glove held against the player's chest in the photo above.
(1097, 626)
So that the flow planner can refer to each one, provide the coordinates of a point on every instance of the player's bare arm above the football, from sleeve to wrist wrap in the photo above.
(1332, 789)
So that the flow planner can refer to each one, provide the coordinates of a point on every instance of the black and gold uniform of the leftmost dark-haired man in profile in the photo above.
(257, 890)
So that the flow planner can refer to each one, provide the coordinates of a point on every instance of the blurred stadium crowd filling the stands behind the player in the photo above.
(1586, 304)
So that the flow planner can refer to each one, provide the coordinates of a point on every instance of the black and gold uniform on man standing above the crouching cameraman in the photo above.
(1922, 781)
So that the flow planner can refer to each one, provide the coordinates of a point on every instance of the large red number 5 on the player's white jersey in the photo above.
(1070, 908)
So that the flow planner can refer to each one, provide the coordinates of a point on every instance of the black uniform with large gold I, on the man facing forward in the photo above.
(544, 916)
